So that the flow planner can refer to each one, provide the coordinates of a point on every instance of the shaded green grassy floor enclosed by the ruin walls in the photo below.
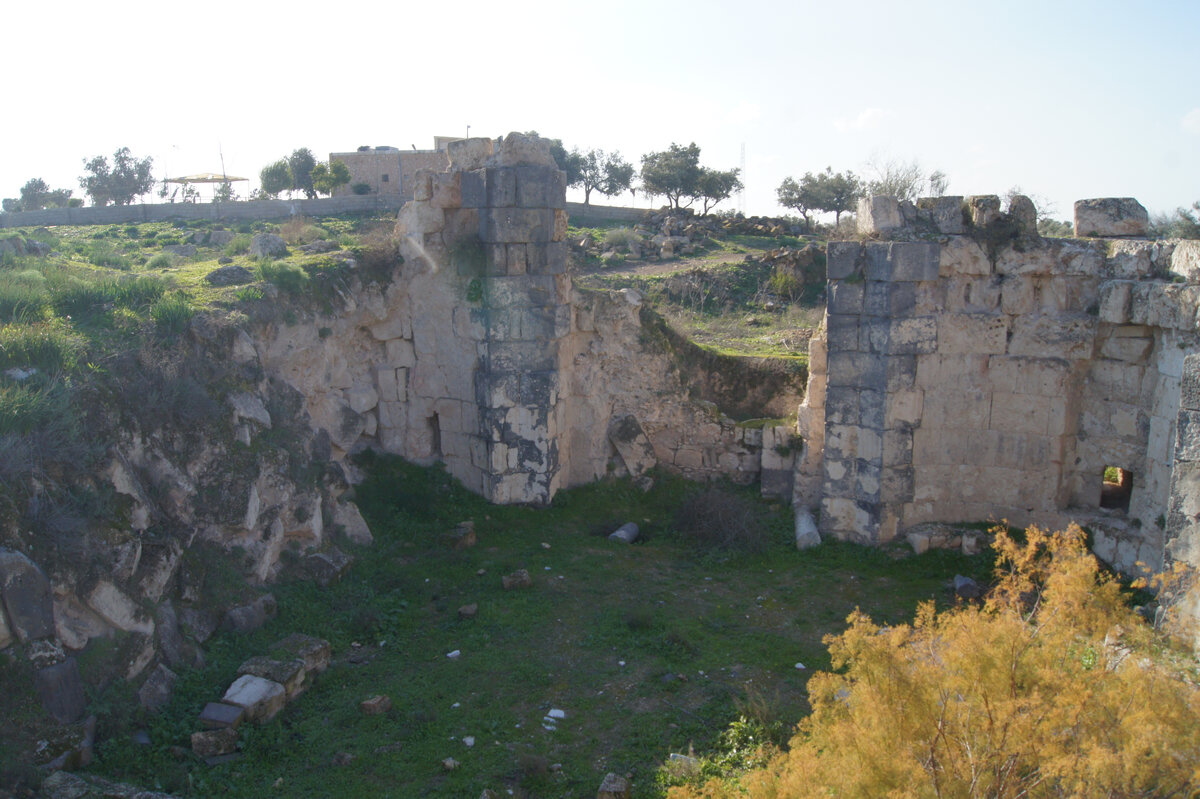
(650, 650)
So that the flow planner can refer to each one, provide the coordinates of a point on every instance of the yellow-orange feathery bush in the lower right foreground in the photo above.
(1054, 687)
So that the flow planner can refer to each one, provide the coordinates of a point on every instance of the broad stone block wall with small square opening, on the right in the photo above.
(973, 377)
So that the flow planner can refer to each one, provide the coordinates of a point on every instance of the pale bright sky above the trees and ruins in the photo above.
(1065, 100)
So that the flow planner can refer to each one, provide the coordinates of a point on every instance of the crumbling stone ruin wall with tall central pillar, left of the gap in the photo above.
(482, 355)
